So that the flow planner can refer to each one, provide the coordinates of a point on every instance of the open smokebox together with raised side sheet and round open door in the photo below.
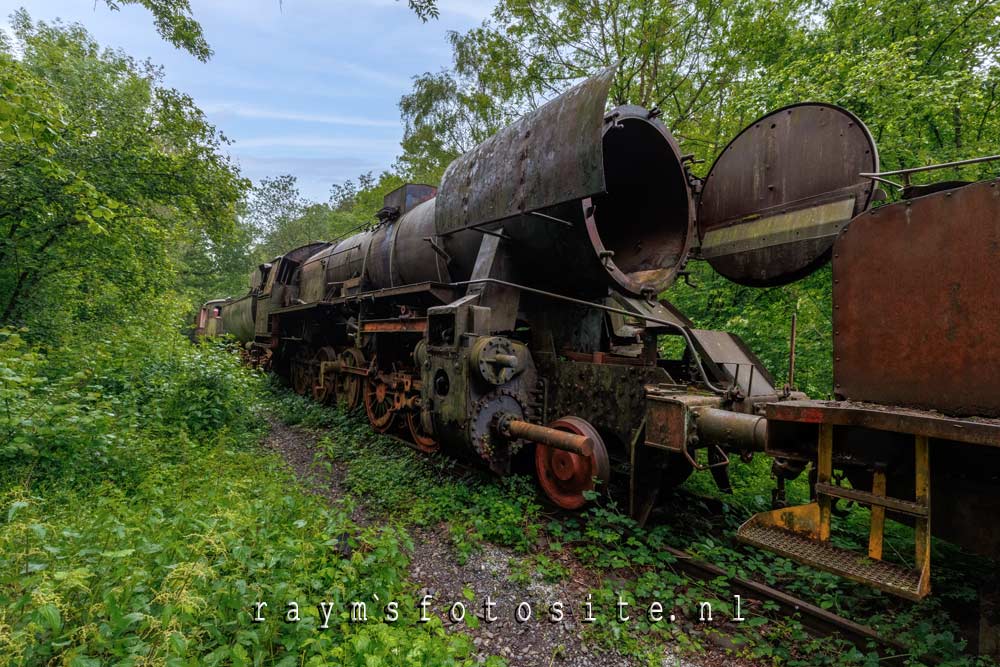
(591, 200)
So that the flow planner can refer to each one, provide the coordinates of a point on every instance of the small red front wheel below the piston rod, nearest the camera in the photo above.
(565, 476)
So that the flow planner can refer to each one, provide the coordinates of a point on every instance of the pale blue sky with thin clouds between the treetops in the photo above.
(302, 87)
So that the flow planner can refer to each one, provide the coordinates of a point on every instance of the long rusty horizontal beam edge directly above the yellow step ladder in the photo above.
(886, 418)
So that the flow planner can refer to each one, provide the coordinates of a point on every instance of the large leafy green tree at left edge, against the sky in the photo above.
(112, 185)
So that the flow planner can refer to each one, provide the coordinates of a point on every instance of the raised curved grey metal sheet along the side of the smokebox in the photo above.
(550, 156)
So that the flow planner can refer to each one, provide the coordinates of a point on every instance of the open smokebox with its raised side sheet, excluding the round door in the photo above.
(588, 200)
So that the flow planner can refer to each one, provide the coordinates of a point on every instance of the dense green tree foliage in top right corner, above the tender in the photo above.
(923, 76)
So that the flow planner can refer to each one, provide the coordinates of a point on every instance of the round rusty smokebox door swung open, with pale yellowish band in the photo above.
(781, 191)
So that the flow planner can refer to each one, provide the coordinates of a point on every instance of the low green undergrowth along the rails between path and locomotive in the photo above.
(620, 558)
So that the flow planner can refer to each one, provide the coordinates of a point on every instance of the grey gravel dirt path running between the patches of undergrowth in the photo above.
(436, 571)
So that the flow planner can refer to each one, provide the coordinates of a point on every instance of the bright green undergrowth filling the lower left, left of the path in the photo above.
(140, 522)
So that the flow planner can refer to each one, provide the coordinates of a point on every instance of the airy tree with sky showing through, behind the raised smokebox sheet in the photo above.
(683, 57)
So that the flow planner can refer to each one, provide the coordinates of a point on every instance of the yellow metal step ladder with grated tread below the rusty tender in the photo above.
(802, 533)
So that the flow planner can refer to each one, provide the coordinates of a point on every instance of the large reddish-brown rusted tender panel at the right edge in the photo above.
(917, 303)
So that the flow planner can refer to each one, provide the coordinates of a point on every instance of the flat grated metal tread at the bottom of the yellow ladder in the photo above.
(858, 567)
